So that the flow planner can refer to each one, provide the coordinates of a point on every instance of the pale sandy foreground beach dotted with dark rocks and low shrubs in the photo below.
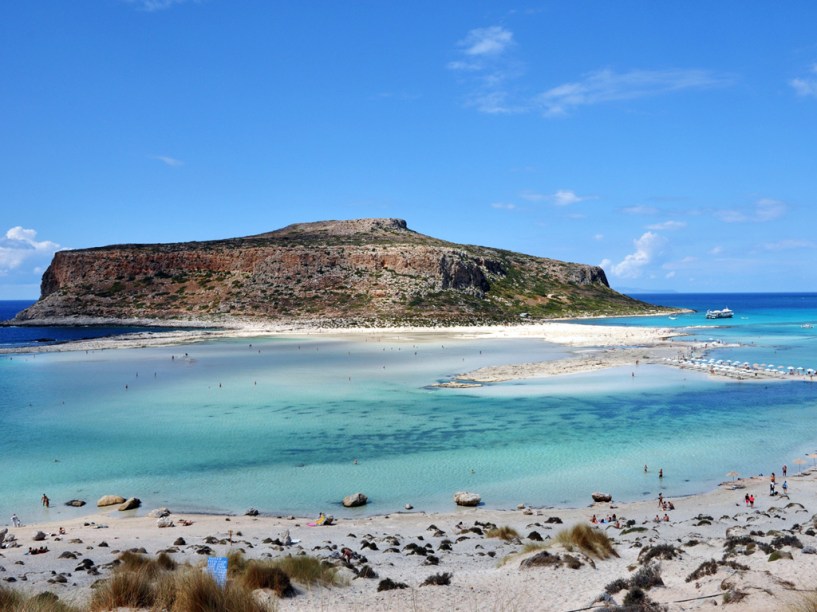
(486, 572)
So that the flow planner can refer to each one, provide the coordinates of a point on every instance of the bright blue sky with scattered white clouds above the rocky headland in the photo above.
(674, 143)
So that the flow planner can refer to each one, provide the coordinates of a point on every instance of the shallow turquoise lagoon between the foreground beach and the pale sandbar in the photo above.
(276, 424)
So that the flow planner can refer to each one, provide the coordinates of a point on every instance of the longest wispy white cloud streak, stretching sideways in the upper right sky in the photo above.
(608, 86)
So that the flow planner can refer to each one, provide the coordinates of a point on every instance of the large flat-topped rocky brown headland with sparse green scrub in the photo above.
(339, 272)
